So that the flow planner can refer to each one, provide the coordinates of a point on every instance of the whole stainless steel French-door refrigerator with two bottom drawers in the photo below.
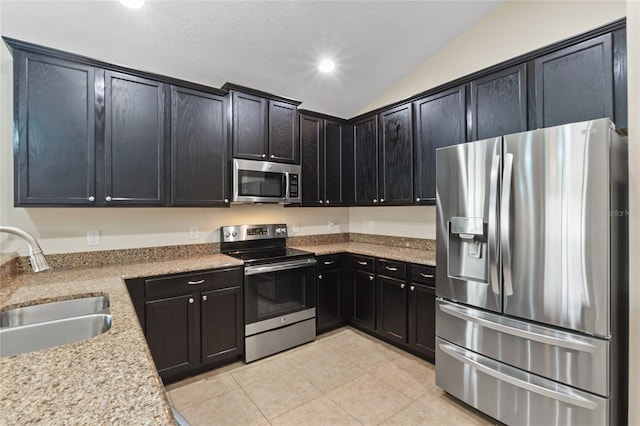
(532, 275)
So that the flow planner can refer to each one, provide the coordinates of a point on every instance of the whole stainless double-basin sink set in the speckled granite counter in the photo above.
(36, 327)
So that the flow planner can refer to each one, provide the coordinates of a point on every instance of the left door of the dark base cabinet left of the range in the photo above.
(172, 331)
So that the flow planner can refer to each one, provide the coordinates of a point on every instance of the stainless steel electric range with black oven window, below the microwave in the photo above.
(279, 288)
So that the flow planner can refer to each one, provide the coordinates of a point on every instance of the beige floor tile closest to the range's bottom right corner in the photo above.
(328, 371)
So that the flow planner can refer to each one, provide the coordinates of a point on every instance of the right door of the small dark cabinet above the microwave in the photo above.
(283, 135)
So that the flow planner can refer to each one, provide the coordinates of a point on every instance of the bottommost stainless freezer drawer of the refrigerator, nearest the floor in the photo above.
(513, 396)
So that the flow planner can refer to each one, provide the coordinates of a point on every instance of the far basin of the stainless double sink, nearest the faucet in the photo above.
(54, 311)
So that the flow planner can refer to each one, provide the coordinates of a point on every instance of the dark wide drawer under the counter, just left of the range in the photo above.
(165, 286)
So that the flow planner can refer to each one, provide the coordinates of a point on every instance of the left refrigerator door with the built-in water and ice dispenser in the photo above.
(467, 190)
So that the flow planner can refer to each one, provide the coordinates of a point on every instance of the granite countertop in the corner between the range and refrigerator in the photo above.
(423, 257)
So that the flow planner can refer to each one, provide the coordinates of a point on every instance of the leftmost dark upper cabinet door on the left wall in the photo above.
(54, 124)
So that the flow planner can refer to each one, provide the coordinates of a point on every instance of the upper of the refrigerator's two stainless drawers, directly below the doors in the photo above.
(576, 360)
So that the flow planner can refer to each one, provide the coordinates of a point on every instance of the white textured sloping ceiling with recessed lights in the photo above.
(272, 46)
